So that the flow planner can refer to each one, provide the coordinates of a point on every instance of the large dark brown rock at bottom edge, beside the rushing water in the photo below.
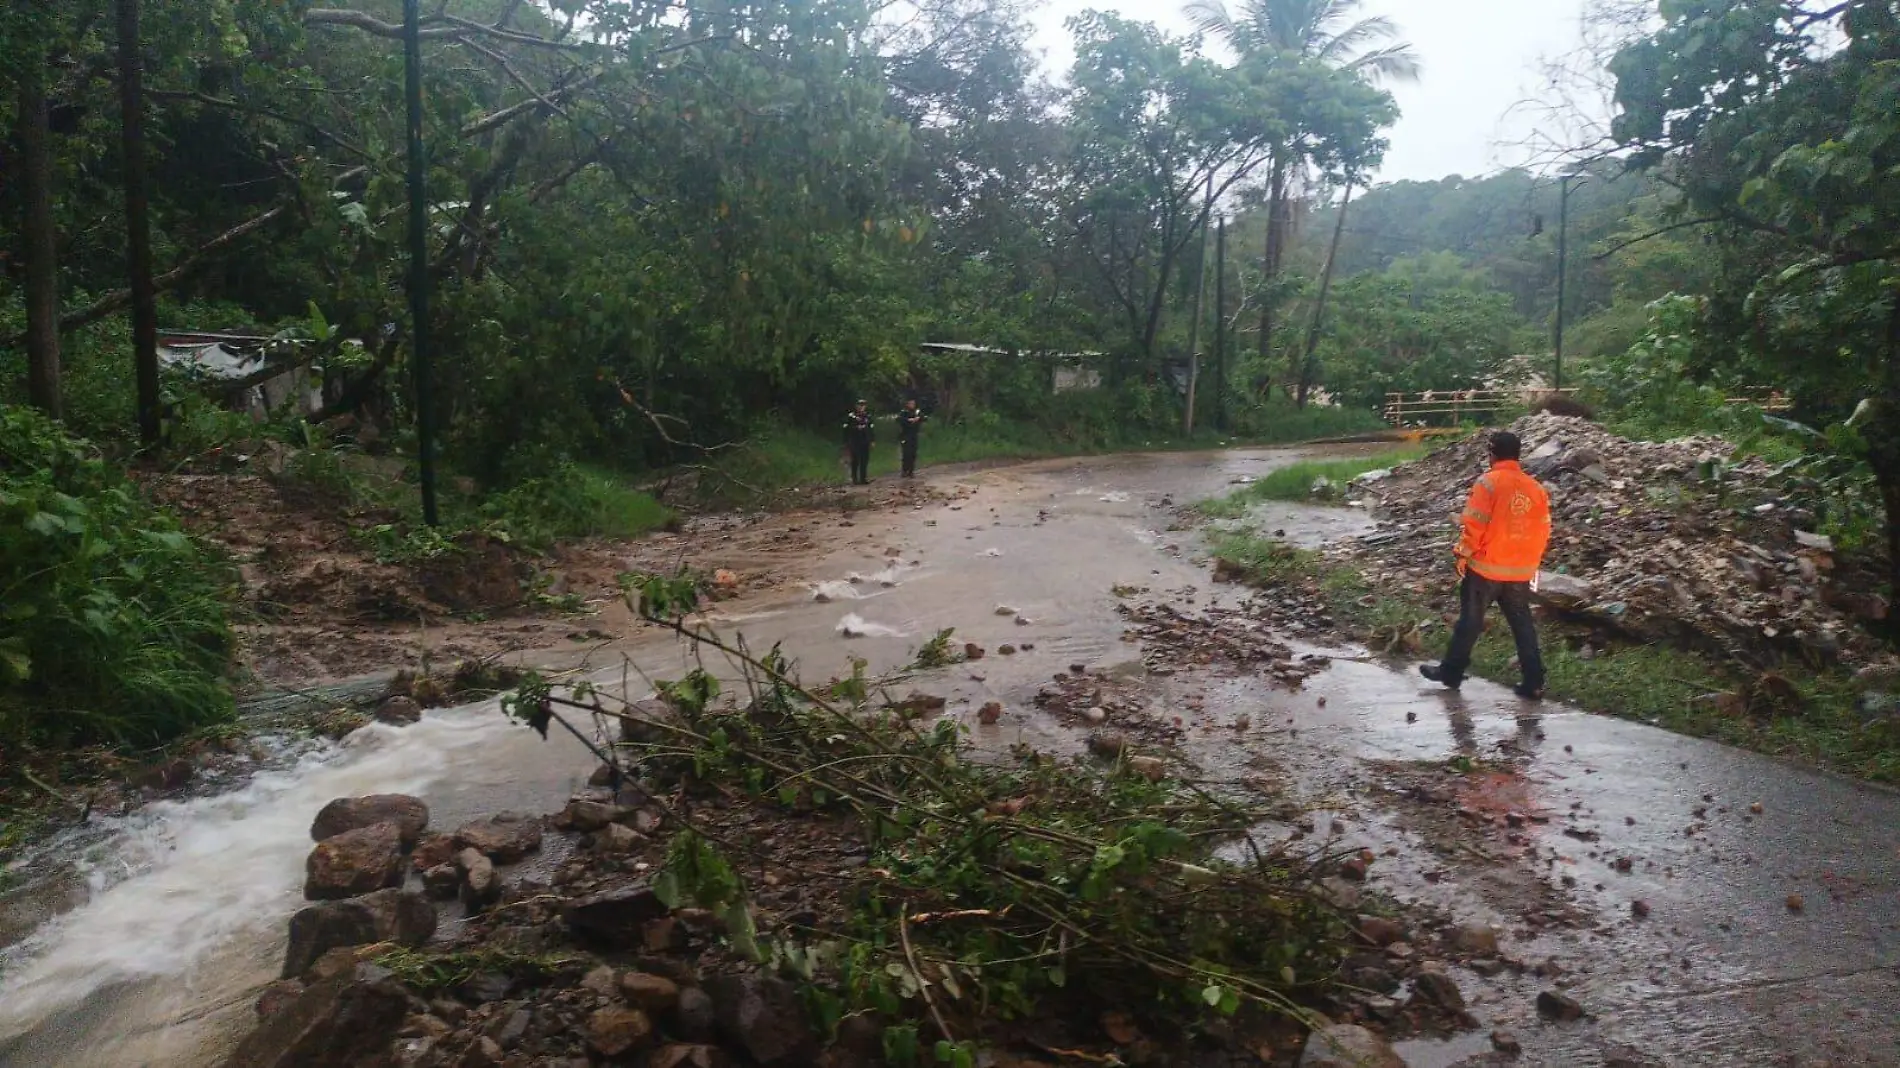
(339, 1023)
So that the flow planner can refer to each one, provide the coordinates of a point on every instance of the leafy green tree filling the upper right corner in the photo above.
(1781, 119)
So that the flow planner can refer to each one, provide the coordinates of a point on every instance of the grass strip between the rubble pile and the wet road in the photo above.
(1650, 683)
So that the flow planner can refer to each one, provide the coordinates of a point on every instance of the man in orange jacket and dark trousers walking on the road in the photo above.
(1504, 537)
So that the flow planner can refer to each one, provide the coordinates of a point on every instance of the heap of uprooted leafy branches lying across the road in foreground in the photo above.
(995, 890)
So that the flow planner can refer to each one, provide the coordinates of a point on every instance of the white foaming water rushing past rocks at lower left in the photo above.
(206, 873)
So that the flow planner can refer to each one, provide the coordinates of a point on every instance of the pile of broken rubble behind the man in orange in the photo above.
(1669, 541)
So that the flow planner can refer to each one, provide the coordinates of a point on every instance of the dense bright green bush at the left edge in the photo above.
(113, 620)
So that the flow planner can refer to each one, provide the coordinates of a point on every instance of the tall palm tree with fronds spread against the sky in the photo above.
(1321, 31)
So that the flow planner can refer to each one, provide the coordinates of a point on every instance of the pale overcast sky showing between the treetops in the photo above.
(1479, 56)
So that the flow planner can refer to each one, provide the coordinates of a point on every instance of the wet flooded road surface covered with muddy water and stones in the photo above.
(191, 902)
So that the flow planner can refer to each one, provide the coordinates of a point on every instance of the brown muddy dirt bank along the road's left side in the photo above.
(322, 601)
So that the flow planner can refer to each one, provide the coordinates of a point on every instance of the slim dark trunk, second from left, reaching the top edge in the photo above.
(138, 223)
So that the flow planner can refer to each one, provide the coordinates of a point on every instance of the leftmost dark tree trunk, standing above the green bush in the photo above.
(41, 238)
